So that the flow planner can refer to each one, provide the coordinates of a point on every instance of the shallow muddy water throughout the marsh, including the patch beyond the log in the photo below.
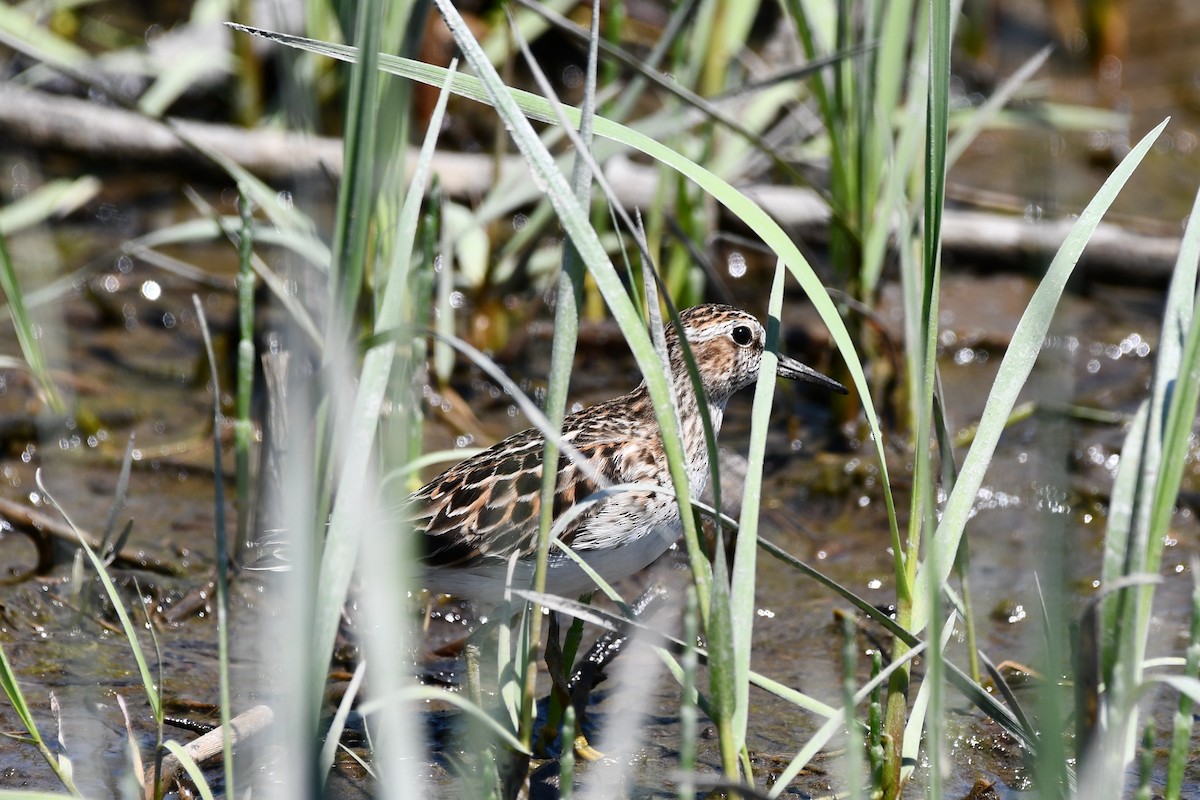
(131, 345)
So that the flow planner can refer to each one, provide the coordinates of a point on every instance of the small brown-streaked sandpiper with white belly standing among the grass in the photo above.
(477, 515)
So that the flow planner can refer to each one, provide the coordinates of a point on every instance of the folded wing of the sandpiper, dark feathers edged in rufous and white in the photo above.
(488, 507)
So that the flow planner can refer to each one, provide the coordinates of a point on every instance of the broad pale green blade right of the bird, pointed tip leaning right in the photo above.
(1015, 370)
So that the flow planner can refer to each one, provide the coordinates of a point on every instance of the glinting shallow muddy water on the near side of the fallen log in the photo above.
(1045, 498)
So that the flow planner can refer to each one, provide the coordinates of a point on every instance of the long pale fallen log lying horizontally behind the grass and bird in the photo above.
(106, 134)
